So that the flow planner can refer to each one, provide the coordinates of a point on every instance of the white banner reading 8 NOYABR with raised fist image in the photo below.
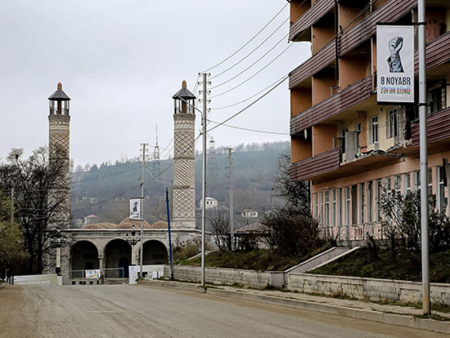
(395, 64)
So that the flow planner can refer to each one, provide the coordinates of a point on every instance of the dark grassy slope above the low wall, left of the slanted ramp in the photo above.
(256, 259)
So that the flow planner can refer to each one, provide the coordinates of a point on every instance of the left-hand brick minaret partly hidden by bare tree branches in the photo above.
(59, 148)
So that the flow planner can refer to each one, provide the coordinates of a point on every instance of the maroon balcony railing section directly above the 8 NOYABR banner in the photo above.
(363, 30)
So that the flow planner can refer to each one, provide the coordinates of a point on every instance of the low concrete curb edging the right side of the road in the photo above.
(377, 316)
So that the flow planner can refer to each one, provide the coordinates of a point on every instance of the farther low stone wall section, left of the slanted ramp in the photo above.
(256, 279)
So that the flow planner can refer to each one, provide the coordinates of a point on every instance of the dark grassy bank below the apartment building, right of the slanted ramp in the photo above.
(405, 266)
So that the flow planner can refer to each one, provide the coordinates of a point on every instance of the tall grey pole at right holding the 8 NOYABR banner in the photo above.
(423, 160)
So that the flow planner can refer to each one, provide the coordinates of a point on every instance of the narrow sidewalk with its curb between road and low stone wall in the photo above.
(389, 314)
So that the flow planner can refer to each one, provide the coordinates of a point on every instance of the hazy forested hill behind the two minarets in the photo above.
(103, 190)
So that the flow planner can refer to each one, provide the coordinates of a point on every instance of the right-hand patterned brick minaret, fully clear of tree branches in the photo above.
(184, 160)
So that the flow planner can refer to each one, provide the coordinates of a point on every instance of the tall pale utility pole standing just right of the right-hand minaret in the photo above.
(204, 115)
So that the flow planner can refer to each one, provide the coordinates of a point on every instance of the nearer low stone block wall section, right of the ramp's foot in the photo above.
(367, 288)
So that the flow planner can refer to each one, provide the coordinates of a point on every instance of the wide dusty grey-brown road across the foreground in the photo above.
(143, 311)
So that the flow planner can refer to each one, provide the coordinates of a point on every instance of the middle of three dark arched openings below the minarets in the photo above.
(117, 254)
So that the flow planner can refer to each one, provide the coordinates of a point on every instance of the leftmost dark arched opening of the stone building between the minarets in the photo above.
(84, 256)
